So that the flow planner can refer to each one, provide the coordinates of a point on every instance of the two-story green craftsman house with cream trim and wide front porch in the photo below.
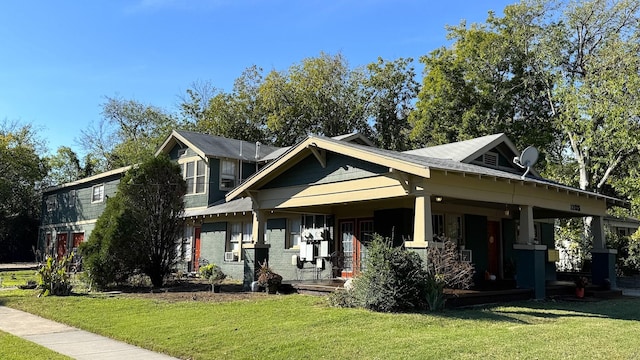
(311, 209)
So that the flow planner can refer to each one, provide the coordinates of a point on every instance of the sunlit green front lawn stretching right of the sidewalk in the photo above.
(297, 326)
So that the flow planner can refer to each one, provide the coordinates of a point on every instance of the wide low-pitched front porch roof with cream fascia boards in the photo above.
(418, 165)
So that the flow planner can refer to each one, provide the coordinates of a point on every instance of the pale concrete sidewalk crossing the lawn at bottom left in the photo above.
(67, 340)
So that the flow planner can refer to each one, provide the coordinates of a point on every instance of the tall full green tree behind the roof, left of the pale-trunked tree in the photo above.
(482, 84)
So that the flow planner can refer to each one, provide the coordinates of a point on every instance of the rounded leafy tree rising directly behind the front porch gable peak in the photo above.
(320, 96)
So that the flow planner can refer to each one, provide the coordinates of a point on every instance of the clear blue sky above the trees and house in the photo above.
(59, 59)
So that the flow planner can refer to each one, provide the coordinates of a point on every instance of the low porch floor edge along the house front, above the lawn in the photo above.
(561, 290)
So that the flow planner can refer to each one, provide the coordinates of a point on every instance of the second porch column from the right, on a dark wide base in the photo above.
(530, 258)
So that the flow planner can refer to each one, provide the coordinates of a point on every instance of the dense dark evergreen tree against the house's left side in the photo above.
(141, 227)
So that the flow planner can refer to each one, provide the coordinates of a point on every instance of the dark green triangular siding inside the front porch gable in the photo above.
(339, 168)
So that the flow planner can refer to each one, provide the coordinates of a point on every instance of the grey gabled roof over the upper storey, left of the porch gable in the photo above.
(216, 146)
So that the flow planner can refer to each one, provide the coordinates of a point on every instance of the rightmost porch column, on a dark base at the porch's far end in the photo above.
(603, 260)
